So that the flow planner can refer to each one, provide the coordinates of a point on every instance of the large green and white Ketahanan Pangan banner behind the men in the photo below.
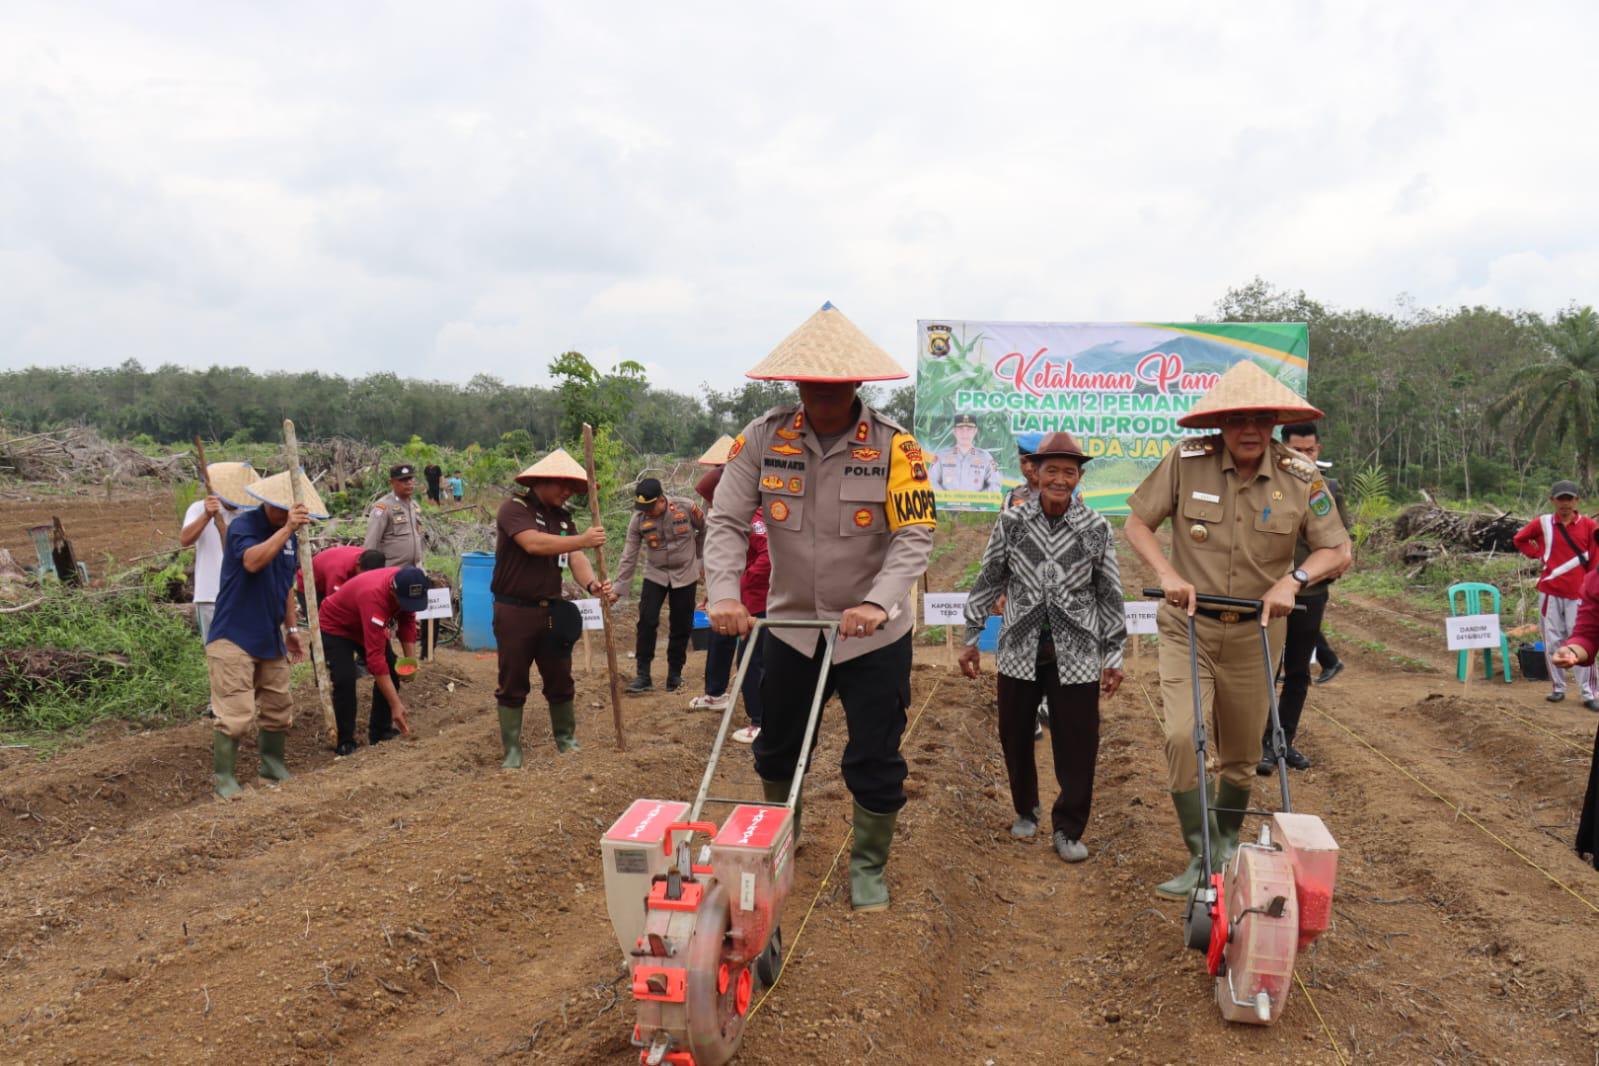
(1117, 388)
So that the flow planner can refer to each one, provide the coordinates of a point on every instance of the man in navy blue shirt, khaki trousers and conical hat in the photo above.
(249, 656)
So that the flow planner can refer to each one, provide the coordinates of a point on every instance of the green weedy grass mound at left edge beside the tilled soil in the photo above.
(119, 658)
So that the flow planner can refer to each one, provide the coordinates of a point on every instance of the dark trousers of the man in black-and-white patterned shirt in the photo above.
(1074, 742)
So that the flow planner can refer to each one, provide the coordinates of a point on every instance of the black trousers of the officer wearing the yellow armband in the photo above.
(875, 691)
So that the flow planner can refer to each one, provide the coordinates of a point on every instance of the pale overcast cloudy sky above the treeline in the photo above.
(447, 189)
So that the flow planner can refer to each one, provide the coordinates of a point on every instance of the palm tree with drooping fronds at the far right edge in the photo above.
(1558, 400)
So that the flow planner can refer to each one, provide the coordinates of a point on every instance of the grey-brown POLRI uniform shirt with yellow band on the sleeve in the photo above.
(845, 527)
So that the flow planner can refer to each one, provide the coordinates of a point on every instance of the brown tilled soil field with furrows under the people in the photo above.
(417, 904)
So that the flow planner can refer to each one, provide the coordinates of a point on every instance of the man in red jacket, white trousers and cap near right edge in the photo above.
(1565, 543)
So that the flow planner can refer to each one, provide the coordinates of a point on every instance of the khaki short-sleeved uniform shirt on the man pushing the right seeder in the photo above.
(1234, 538)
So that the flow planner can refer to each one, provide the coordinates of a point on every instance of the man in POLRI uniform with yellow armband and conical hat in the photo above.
(850, 520)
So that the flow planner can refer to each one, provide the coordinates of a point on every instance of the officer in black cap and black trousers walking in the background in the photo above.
(668, 533)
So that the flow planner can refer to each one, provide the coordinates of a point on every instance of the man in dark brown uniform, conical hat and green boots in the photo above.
(533, 624)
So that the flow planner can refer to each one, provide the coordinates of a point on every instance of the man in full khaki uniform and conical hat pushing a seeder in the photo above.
(1238, 503)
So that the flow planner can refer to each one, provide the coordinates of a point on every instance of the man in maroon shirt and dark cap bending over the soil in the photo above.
(356, 626)
